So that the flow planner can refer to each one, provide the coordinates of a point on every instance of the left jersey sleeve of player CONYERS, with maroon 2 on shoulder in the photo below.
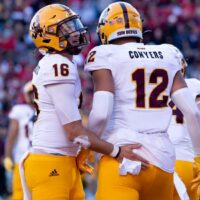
(98, 58)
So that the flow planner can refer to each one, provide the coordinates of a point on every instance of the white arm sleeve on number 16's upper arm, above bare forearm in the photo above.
(65, 102)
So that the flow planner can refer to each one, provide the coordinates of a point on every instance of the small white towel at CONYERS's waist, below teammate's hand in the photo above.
(129, 166)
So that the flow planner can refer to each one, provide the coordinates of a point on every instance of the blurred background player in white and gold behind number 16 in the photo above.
(19, 138)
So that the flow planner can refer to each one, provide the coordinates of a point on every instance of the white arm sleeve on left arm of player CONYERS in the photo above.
(102, 108)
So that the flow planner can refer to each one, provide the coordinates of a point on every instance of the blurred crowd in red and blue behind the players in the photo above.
(171, 21)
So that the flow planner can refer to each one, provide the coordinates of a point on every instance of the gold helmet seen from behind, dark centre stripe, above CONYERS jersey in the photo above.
(119, 20)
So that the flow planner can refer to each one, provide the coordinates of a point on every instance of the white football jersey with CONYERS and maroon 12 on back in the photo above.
(143, 76)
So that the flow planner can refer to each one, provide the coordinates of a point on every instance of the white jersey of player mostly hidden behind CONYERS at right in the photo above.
(178, 131)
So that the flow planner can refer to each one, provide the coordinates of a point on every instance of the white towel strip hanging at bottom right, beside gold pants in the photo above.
(180, 187)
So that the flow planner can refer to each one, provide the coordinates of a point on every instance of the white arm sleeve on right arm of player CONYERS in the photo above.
(186, 104)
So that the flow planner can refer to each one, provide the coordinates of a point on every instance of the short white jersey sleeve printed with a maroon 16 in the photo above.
(57, 70)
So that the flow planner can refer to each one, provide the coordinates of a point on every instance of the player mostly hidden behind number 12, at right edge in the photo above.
(179, 136)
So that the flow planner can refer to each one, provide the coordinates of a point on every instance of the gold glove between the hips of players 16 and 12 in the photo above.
(81, 160)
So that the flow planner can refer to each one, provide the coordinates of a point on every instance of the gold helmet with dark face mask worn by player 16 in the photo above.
(56, 28)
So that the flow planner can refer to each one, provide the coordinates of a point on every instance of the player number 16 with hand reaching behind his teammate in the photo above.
(50, 169)
